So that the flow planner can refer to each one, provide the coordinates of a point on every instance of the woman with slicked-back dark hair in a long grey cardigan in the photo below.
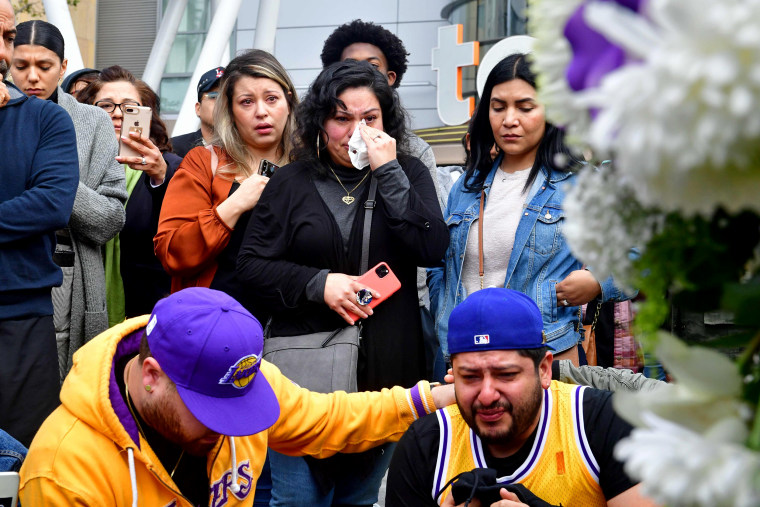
(79, 304)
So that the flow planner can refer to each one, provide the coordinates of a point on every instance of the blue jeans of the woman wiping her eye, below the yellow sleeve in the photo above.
(294, 485)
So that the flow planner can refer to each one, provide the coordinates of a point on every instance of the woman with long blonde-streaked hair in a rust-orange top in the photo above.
(209, 202)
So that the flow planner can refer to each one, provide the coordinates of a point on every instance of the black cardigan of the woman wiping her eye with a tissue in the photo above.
(293, 235)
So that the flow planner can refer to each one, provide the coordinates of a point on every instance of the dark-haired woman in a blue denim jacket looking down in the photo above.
(505, 214)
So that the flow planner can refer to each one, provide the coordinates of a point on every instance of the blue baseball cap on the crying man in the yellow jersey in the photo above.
(496, 319)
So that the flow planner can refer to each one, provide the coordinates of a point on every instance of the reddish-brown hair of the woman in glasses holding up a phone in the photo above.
(158, 132)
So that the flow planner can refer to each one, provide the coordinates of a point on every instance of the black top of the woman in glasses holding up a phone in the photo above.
(145, 281)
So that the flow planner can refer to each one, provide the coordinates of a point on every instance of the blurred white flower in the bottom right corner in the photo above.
(680, 468)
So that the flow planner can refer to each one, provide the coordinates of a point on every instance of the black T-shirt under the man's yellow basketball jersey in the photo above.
(412, 469)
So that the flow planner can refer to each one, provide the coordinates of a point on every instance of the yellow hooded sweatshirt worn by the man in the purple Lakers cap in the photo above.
(83, 455)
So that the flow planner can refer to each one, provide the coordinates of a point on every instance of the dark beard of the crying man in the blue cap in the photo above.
(523, 416)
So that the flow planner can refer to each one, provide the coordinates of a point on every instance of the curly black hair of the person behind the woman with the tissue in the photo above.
(370, 33)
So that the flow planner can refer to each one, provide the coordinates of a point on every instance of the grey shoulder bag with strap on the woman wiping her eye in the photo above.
(323, 362)
